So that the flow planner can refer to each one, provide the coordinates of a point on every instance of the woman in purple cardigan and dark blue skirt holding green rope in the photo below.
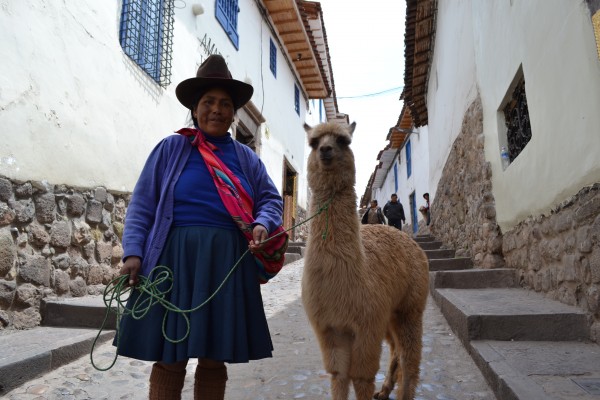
(201, 200)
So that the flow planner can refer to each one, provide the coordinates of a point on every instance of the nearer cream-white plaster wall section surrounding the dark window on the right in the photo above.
(554, 43)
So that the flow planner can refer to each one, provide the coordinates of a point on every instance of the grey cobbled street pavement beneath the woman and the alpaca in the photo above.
(294, 372)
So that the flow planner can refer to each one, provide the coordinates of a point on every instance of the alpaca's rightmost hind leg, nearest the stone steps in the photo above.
(410, 339)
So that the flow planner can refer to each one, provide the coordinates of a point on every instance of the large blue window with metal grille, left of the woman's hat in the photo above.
(146, 36)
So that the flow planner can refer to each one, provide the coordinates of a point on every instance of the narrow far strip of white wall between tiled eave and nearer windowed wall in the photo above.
(452, 85)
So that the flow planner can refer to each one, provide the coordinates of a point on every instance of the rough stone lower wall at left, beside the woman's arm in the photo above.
(55, 241)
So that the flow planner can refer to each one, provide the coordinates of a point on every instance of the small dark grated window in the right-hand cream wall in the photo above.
(516, 115)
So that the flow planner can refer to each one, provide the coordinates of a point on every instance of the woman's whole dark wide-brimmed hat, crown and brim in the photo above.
(213, 73)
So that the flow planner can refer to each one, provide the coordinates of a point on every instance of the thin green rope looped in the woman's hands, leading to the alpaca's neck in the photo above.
(118, 292)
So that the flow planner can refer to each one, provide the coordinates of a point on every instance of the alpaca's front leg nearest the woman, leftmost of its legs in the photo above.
(335, 347)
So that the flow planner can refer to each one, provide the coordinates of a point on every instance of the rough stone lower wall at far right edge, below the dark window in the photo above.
(559, 254)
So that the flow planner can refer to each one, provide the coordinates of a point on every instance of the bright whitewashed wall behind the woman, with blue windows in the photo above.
(74, 109)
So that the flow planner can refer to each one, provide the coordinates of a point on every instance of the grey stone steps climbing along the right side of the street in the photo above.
(527, 346)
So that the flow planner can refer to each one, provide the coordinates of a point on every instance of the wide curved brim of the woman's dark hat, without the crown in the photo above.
(188, 89)
